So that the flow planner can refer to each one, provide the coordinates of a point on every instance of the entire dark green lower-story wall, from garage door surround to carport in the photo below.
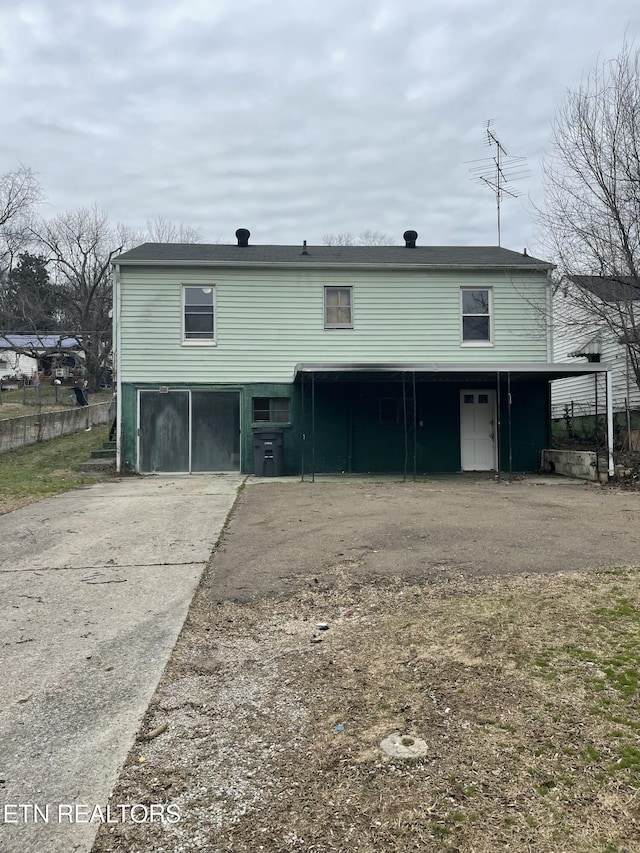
(340, 422)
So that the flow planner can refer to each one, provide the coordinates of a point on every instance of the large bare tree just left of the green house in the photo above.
(80, 246)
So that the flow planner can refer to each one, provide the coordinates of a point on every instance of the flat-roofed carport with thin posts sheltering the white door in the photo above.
(415, 418)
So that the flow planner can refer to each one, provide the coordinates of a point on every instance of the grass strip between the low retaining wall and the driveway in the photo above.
(48, 468)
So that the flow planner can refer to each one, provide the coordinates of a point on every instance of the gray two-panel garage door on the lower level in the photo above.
(189, 431)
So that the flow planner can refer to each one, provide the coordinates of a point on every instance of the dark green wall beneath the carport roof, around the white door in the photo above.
(349, 437)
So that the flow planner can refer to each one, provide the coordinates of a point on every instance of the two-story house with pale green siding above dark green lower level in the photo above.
(368, 359)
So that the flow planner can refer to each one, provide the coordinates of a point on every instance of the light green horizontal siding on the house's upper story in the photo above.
(268, 320)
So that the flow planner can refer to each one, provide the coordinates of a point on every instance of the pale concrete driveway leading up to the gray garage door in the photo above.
(95, 585)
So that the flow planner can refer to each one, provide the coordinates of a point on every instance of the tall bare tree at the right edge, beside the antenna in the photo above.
(591, 214)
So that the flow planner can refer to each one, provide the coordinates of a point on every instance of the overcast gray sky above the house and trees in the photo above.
(294, 119)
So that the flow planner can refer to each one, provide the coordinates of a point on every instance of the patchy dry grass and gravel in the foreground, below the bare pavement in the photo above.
(525, 689)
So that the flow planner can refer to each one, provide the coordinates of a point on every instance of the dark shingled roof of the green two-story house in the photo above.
(489, 257)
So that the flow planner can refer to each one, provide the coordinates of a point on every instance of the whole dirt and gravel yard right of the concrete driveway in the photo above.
(499, 623)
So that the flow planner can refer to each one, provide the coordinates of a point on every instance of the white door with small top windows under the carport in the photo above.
(478, 430)
